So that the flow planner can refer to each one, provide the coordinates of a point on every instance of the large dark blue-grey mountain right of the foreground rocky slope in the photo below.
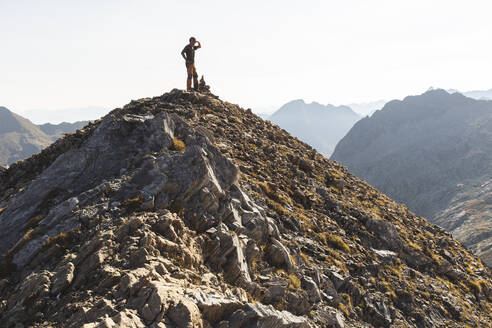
(432, 152)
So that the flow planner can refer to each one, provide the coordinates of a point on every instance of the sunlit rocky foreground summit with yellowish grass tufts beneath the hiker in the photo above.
(187, 211)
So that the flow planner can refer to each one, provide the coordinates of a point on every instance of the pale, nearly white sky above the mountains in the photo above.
(58, 54)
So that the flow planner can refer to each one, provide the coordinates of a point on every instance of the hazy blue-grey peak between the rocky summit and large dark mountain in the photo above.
(321, 126)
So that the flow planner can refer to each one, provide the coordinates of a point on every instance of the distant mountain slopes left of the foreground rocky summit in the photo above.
(20, 138)
